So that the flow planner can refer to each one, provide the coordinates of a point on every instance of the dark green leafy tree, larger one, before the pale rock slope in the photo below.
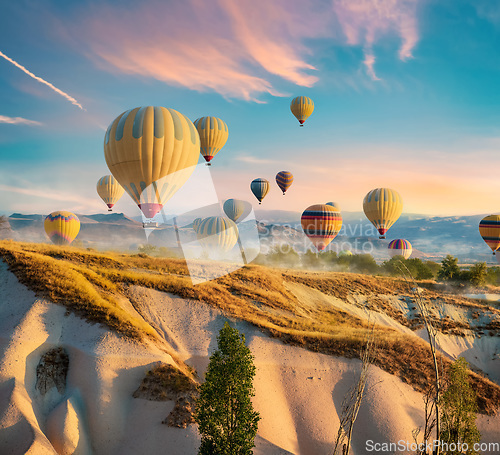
(224, 412)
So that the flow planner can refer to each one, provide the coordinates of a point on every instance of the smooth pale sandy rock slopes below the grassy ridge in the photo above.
(298, 392)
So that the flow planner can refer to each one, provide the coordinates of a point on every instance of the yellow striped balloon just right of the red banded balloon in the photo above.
(383, 206)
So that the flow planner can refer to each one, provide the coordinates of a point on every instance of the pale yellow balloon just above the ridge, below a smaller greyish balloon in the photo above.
(217, 234)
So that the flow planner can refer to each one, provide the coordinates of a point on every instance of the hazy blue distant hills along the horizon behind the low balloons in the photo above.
(431, 237)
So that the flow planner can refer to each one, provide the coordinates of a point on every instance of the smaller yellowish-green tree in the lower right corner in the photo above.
(458, 410)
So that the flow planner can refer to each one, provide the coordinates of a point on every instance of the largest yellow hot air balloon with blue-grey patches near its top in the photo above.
(151, 151)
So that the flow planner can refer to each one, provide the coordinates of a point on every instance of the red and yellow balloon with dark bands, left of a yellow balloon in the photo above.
(321, 223)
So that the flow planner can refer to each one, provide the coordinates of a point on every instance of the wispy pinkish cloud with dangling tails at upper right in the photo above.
(364, 21)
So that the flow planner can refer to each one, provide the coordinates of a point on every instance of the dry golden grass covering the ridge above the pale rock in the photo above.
(87, 281)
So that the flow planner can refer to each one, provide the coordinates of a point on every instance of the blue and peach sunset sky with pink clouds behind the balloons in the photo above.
(406, 92)
